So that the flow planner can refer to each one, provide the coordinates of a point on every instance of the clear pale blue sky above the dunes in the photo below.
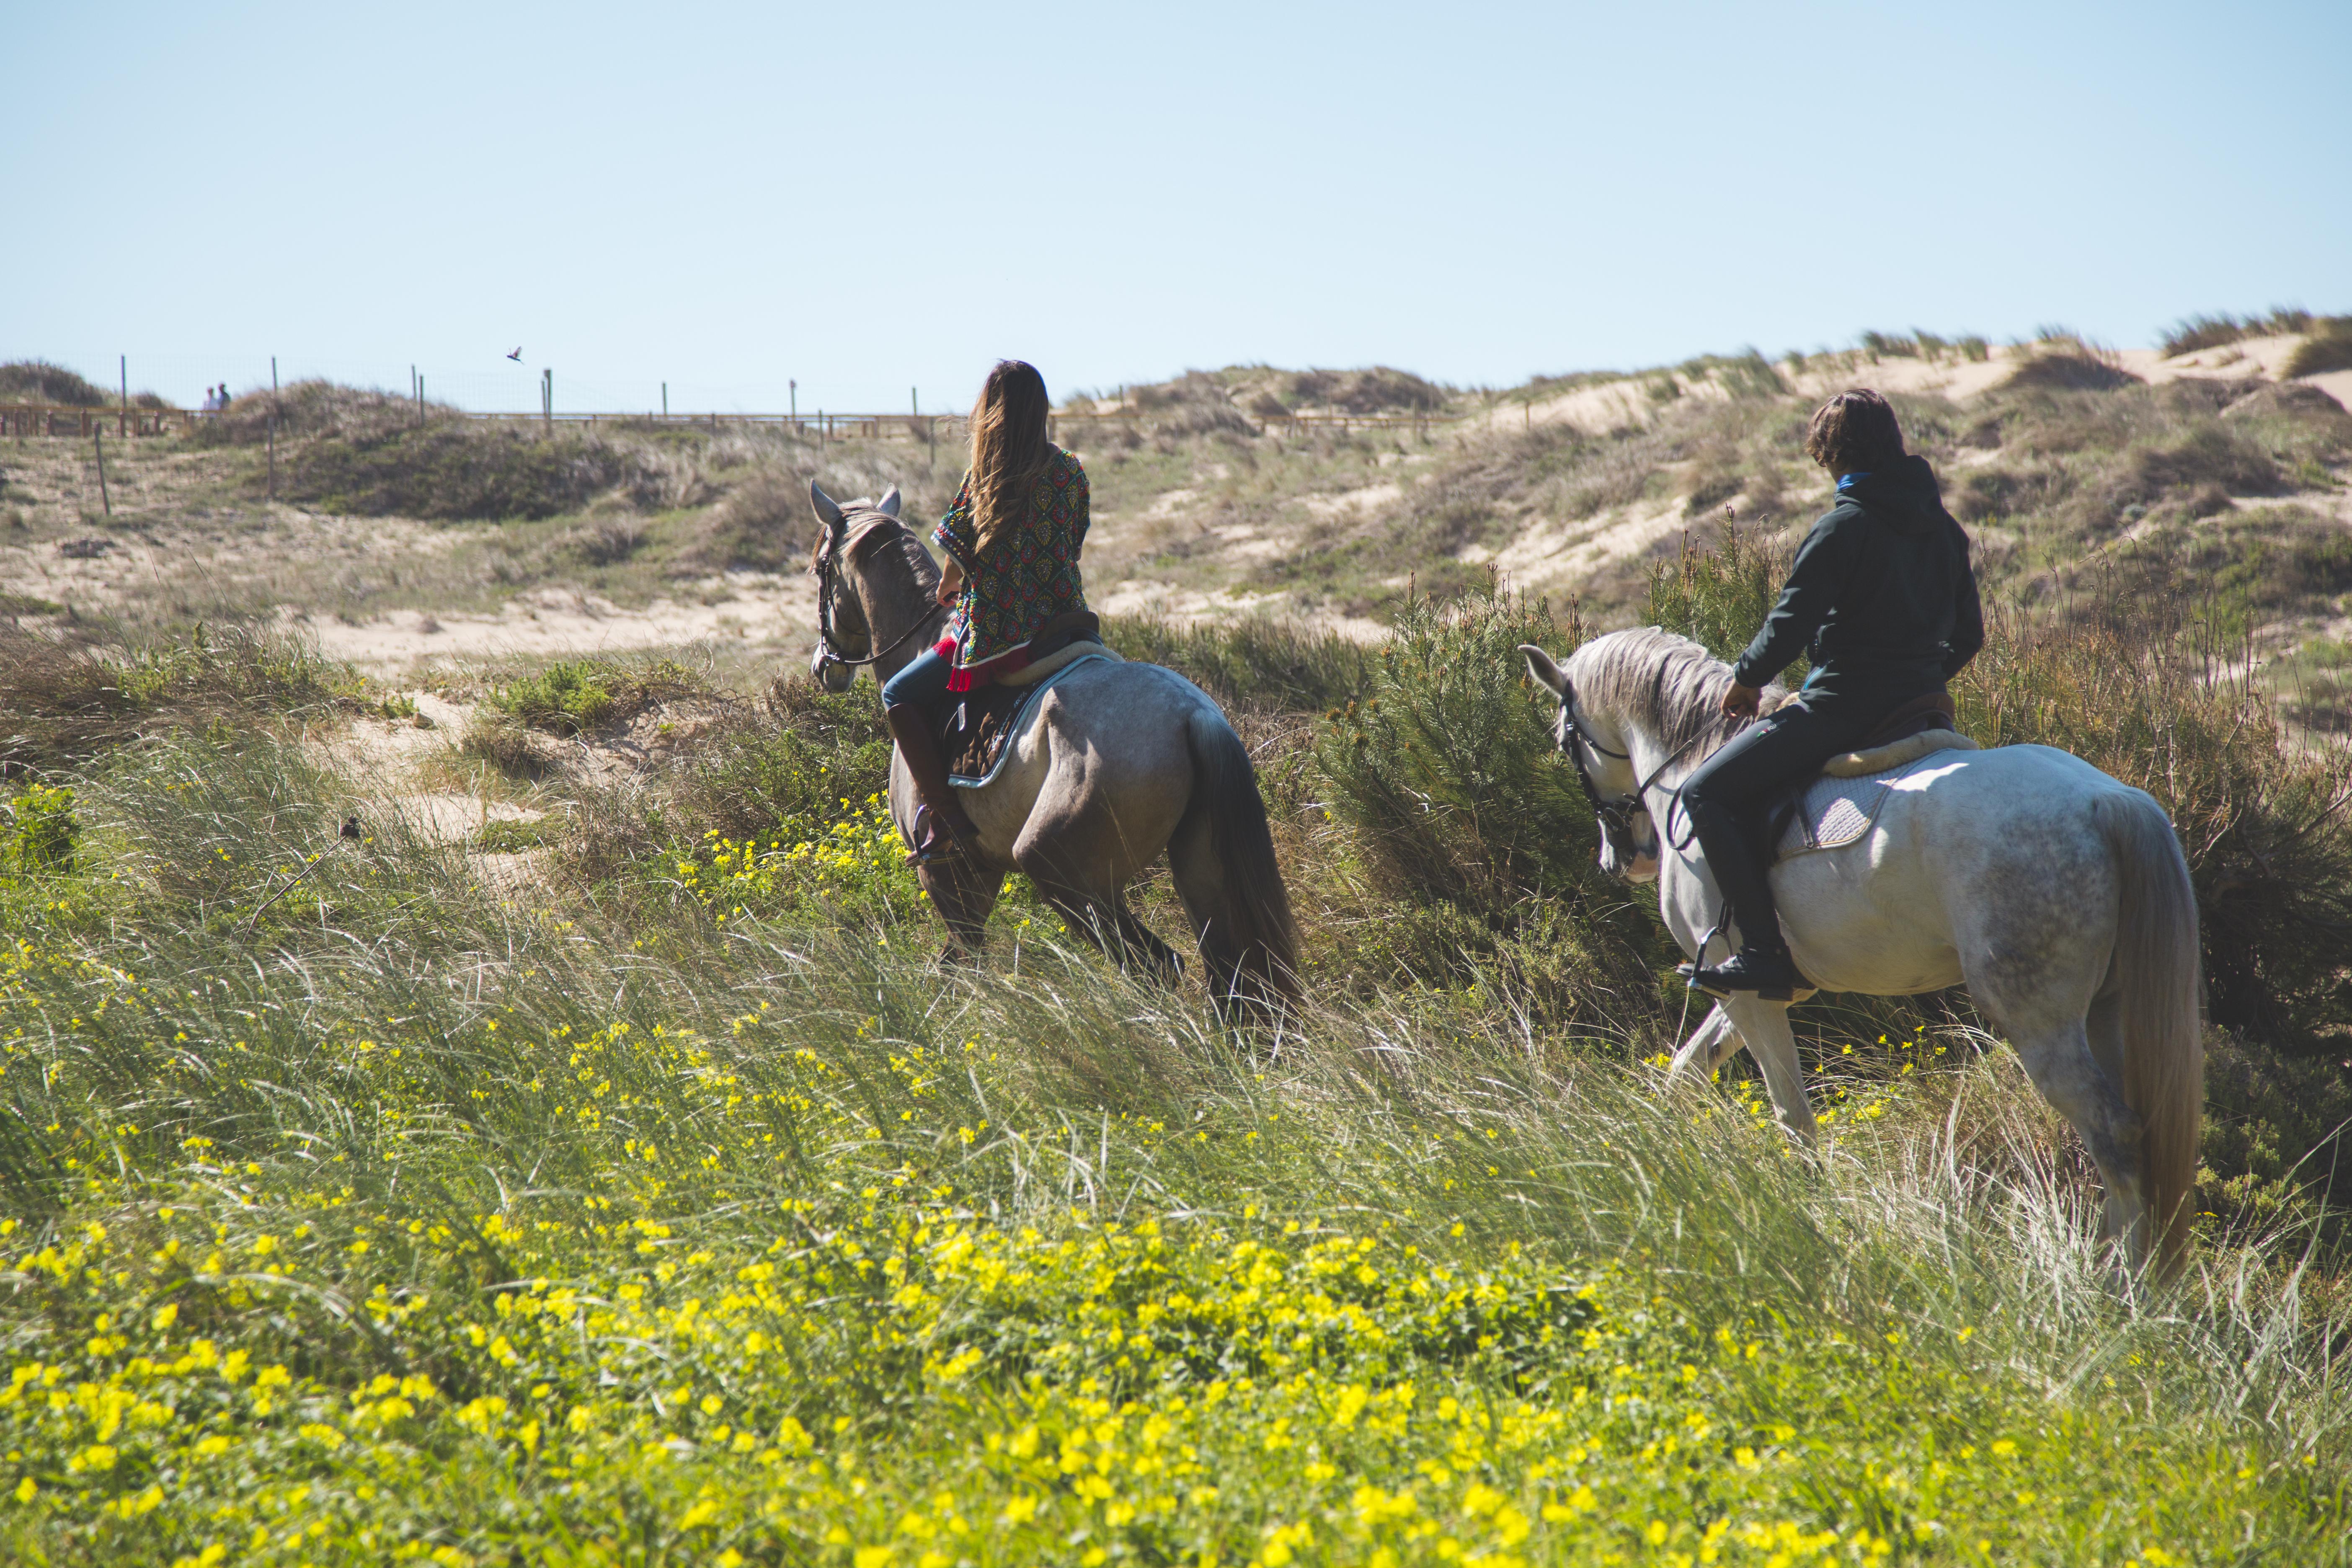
(883, 196)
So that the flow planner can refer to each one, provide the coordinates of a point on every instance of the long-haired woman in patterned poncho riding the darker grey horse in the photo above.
(1013, 582)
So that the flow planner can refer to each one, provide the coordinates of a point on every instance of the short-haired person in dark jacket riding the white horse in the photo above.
(1887, 603)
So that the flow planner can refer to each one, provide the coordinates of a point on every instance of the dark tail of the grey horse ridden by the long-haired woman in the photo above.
(1224, 866)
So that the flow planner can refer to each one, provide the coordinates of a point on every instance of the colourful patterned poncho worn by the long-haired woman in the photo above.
(1027, 577)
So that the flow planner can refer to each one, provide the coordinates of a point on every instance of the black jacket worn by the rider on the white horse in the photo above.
(1880, 591)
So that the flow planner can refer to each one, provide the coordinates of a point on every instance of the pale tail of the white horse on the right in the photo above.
(2158, 984)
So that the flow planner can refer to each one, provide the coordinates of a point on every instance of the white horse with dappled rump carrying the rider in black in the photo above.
(2052, 890)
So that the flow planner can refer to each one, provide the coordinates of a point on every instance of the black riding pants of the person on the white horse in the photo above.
(1728, 796)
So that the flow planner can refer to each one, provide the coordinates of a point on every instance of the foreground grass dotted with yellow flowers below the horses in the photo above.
(439, 1228)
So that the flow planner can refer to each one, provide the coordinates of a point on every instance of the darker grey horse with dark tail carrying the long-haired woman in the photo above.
(1111, 765)
